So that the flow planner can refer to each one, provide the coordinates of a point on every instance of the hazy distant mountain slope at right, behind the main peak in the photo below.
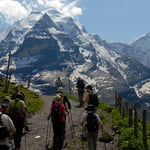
(139, 49)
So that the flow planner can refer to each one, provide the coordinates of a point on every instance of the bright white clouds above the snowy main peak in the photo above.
(13, 10)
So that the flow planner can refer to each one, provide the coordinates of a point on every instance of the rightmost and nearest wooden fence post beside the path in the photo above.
(144, 130)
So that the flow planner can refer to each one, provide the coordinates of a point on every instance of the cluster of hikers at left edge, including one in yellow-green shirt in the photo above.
(13, 120)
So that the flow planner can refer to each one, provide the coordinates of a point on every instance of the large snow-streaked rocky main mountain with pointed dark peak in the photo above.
(47, 45)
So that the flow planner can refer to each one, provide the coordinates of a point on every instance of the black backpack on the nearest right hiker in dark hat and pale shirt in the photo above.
(92, 122)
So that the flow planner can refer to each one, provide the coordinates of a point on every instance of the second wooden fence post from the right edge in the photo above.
(135, 120)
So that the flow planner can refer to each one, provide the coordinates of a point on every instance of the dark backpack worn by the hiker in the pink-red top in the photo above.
(56, 113)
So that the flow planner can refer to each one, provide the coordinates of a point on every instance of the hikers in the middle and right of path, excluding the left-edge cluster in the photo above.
(90, 120)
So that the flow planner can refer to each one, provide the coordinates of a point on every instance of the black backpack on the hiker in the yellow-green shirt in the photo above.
(15, 114)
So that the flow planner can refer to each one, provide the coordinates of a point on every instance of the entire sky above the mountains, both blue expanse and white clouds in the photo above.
(112, 20)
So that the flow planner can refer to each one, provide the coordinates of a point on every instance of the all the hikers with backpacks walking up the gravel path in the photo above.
(13, 116)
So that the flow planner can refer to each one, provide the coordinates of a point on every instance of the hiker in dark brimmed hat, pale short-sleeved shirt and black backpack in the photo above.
(91, 122)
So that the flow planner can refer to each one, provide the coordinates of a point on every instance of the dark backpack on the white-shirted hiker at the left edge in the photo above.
(4, 132)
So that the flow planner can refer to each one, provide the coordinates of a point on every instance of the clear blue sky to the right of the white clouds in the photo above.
(116, 20)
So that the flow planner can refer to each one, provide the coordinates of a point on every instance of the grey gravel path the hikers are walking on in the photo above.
(36, 138)
